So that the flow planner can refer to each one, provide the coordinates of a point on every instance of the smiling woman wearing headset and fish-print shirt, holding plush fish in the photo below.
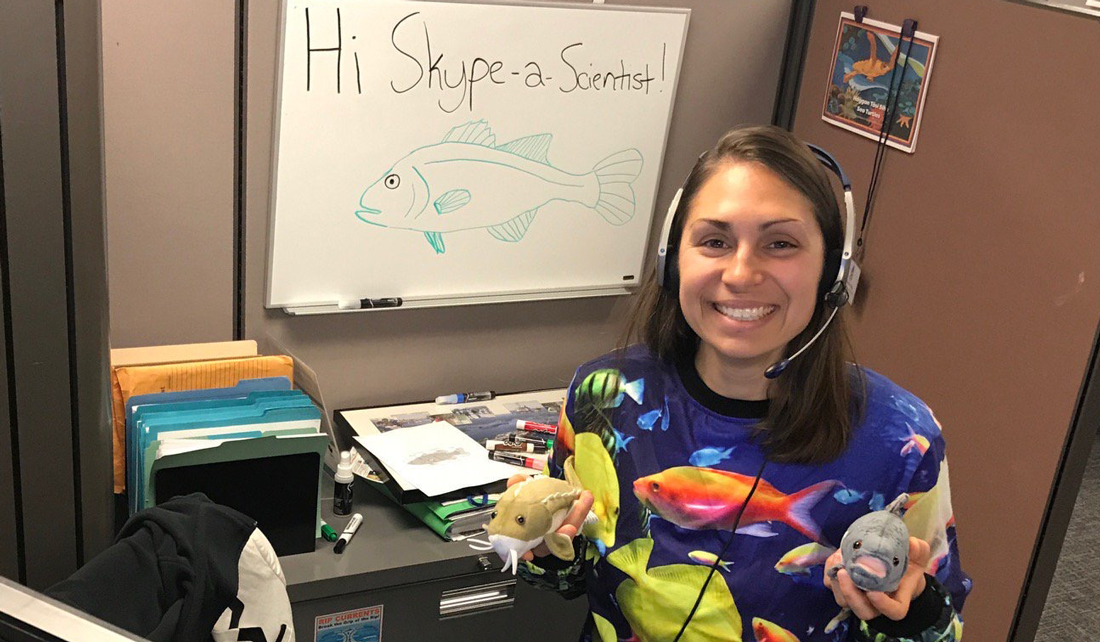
(701, 460)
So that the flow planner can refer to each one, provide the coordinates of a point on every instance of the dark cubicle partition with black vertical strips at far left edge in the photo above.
(56, 495)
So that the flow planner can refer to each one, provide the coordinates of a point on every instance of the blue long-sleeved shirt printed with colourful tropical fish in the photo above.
(668, 462)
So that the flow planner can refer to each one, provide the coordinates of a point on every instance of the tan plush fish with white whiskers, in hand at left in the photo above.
(531, 513)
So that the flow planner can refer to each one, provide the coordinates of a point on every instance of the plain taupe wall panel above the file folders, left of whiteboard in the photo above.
(169, 78)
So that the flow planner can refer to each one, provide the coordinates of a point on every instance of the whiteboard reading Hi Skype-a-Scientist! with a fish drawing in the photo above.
(452, 153)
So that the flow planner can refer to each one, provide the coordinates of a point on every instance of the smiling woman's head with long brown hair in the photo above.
(760, 217)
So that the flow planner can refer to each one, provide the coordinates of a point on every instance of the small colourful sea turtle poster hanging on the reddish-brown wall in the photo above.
(866, 59)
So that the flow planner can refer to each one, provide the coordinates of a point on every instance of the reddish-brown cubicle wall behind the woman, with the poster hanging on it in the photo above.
(982, 289)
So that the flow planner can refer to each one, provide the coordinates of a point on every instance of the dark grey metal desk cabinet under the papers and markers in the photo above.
(398, 562)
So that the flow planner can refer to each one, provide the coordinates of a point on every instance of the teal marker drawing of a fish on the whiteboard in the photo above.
(468, 182)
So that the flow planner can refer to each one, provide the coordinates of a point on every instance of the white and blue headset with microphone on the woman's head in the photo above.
(840, 278)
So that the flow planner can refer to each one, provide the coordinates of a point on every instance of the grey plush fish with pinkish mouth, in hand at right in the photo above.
(876, 549)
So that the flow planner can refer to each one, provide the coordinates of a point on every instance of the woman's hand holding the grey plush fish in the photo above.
(871, 605)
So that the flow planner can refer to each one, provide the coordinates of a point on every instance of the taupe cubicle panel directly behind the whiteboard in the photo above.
(730, 75)
